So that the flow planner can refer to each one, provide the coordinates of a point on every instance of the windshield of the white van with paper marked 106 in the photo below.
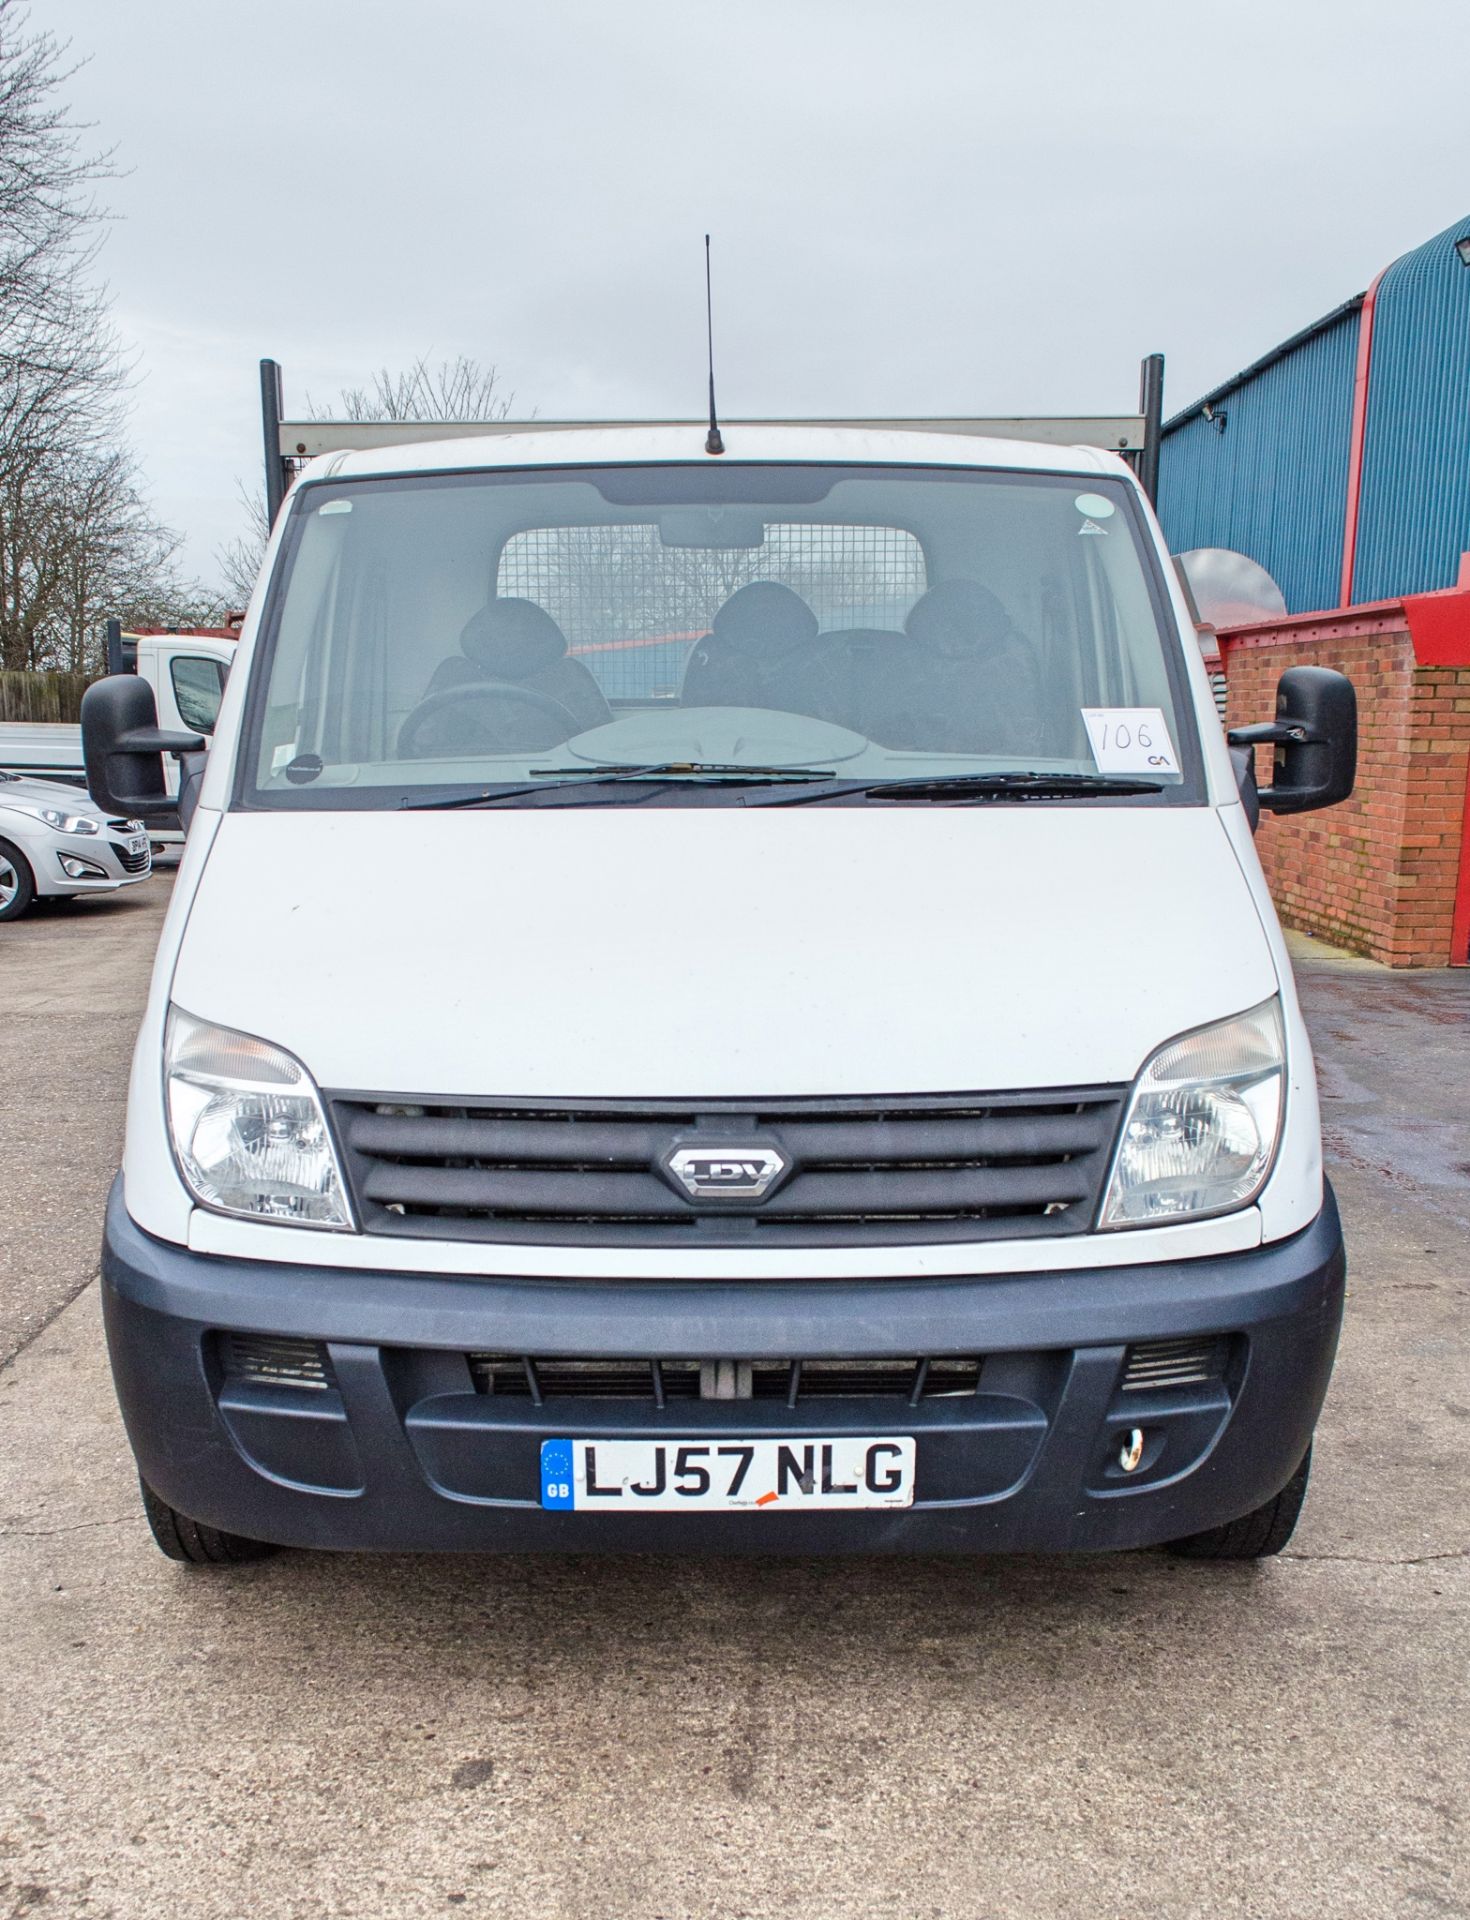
(469, 635)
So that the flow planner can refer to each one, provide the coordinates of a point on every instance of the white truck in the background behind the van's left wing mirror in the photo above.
(187, 673)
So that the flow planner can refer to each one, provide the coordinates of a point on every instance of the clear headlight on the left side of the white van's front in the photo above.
(249, 1128)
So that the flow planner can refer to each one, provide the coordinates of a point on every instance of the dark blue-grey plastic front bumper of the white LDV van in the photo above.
(404, 1454)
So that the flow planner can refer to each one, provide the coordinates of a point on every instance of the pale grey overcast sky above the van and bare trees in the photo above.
(918, 206)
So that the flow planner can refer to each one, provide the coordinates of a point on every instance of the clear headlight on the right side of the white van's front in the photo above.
(1202, 1124)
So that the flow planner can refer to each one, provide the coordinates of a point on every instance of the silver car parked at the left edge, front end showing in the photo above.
(57, 842)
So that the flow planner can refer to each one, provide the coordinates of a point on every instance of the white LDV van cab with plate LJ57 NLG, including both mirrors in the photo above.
(723, 1003)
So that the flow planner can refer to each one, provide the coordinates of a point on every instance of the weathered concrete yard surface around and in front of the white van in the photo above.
(563, 1740)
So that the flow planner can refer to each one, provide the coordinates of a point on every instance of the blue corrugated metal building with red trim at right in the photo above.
(1340, 462)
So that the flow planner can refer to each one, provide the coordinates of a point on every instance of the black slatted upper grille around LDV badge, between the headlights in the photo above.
(847, 1172)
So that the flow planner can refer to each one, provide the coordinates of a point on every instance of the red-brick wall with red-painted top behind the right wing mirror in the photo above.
(1381, 875)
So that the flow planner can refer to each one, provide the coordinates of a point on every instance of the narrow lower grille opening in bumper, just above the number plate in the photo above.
(659, 1381)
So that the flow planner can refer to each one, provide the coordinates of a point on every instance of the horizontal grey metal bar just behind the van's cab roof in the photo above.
(304, 439)
